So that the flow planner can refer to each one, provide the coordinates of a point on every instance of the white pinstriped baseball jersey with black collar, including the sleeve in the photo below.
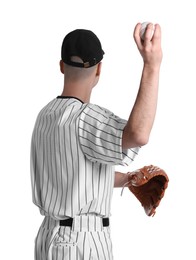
(74, 150)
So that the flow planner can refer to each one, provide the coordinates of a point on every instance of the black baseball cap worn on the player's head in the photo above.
(83, 44)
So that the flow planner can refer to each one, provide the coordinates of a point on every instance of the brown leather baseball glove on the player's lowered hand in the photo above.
(148, 184)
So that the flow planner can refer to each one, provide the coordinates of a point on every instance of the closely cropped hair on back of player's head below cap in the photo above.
(77, 73)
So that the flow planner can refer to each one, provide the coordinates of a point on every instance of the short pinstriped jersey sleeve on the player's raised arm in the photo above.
(100, 136)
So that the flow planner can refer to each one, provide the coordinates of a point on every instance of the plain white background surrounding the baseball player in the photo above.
(30, 41)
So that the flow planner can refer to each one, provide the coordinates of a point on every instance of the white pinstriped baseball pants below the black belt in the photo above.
(86, 239)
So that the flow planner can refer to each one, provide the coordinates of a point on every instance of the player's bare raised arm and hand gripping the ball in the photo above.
(141, 119)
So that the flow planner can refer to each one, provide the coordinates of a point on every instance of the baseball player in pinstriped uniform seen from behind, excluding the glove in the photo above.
(76, 145)
